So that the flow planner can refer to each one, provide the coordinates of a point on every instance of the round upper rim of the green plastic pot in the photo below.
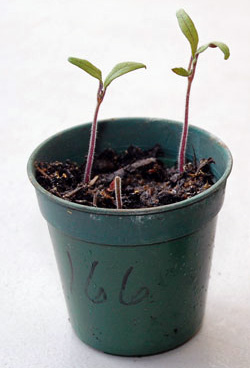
(136, 211)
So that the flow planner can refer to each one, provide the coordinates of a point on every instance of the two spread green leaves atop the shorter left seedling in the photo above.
(117, 71)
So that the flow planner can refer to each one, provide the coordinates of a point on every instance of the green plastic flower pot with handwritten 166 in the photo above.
(135, 281)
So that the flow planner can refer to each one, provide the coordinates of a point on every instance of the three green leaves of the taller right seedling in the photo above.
(188, 29)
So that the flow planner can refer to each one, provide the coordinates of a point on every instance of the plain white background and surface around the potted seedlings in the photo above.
(41, 94)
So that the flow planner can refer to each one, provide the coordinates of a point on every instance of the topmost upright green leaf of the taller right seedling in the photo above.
(188, 29)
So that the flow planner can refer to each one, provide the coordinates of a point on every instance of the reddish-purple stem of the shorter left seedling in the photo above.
(92, 142)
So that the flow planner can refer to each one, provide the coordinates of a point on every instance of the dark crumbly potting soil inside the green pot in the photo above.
(145, 180)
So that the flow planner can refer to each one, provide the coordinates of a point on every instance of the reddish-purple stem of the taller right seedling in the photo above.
(183, 144)
